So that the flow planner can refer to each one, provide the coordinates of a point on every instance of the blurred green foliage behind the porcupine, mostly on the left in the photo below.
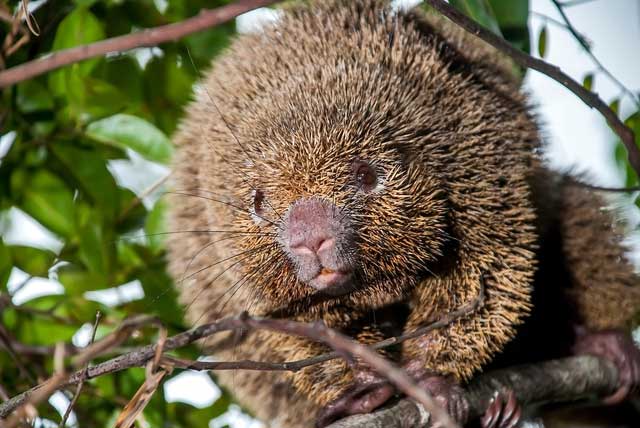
(62, 133)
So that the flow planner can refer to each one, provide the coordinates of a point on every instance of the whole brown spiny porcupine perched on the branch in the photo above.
(388, 162)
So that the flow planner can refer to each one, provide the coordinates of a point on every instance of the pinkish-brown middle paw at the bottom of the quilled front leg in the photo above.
(447, 393)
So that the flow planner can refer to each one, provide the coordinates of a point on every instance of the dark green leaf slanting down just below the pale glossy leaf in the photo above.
(90, 170)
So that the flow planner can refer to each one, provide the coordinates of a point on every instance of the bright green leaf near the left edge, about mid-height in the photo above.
(47, 199)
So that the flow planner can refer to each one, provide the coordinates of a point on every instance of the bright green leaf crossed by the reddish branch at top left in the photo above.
(80, 27)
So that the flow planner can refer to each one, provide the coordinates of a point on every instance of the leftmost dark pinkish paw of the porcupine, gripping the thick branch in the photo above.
(363, 397)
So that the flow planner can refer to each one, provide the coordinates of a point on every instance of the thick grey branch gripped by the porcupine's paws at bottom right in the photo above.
(562, 380)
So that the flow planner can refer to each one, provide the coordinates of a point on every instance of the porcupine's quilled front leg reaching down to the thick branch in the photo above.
(446, 357)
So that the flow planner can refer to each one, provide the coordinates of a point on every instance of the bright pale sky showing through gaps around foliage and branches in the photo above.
(577, 139)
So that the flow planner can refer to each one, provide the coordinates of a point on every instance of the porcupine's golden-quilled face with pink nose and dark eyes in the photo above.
(337, 207)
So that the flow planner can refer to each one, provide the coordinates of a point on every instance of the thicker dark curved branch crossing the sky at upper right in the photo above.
(589, 98)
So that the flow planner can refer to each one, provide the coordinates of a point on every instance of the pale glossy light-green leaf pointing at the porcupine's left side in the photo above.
(124, 130)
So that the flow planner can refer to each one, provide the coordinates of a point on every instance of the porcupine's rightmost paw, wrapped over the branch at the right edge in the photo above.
(619, 348)
